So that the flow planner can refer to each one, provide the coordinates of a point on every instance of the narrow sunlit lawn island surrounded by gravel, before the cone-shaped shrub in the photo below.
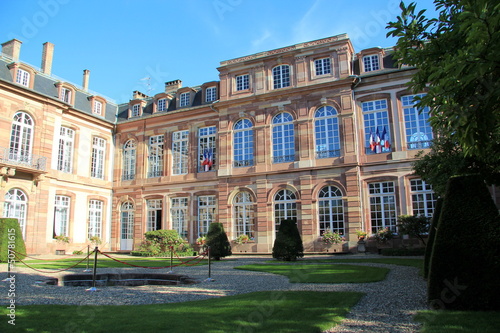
(322, 273)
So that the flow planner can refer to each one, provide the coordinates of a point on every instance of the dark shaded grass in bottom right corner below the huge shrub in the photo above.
(459, 321)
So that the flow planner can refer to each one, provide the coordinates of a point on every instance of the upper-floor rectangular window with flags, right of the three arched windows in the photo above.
(376, 118)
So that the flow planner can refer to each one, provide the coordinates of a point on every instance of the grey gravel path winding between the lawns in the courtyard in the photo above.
(388, 306)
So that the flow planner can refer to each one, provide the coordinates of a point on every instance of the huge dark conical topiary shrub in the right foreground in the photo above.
(464, 269)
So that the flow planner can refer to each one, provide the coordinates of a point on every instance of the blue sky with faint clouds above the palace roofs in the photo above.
(123, 42)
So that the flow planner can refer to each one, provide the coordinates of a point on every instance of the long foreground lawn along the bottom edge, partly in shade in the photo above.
(276, 311)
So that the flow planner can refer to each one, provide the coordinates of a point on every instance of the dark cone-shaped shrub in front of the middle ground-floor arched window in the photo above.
(288, 244)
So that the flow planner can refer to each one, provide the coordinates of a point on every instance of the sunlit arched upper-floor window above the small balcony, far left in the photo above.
(21, 138)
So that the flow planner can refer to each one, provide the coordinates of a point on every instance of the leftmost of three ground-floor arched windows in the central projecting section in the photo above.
(244, 214)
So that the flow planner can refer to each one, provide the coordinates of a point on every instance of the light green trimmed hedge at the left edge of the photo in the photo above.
(11, 237)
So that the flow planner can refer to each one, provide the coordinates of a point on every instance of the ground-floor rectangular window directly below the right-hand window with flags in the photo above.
(382, 206)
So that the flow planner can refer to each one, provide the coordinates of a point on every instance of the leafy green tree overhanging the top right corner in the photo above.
(456, 55)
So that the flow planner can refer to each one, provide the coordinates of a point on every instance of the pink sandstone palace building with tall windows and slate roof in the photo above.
(312, 131)
